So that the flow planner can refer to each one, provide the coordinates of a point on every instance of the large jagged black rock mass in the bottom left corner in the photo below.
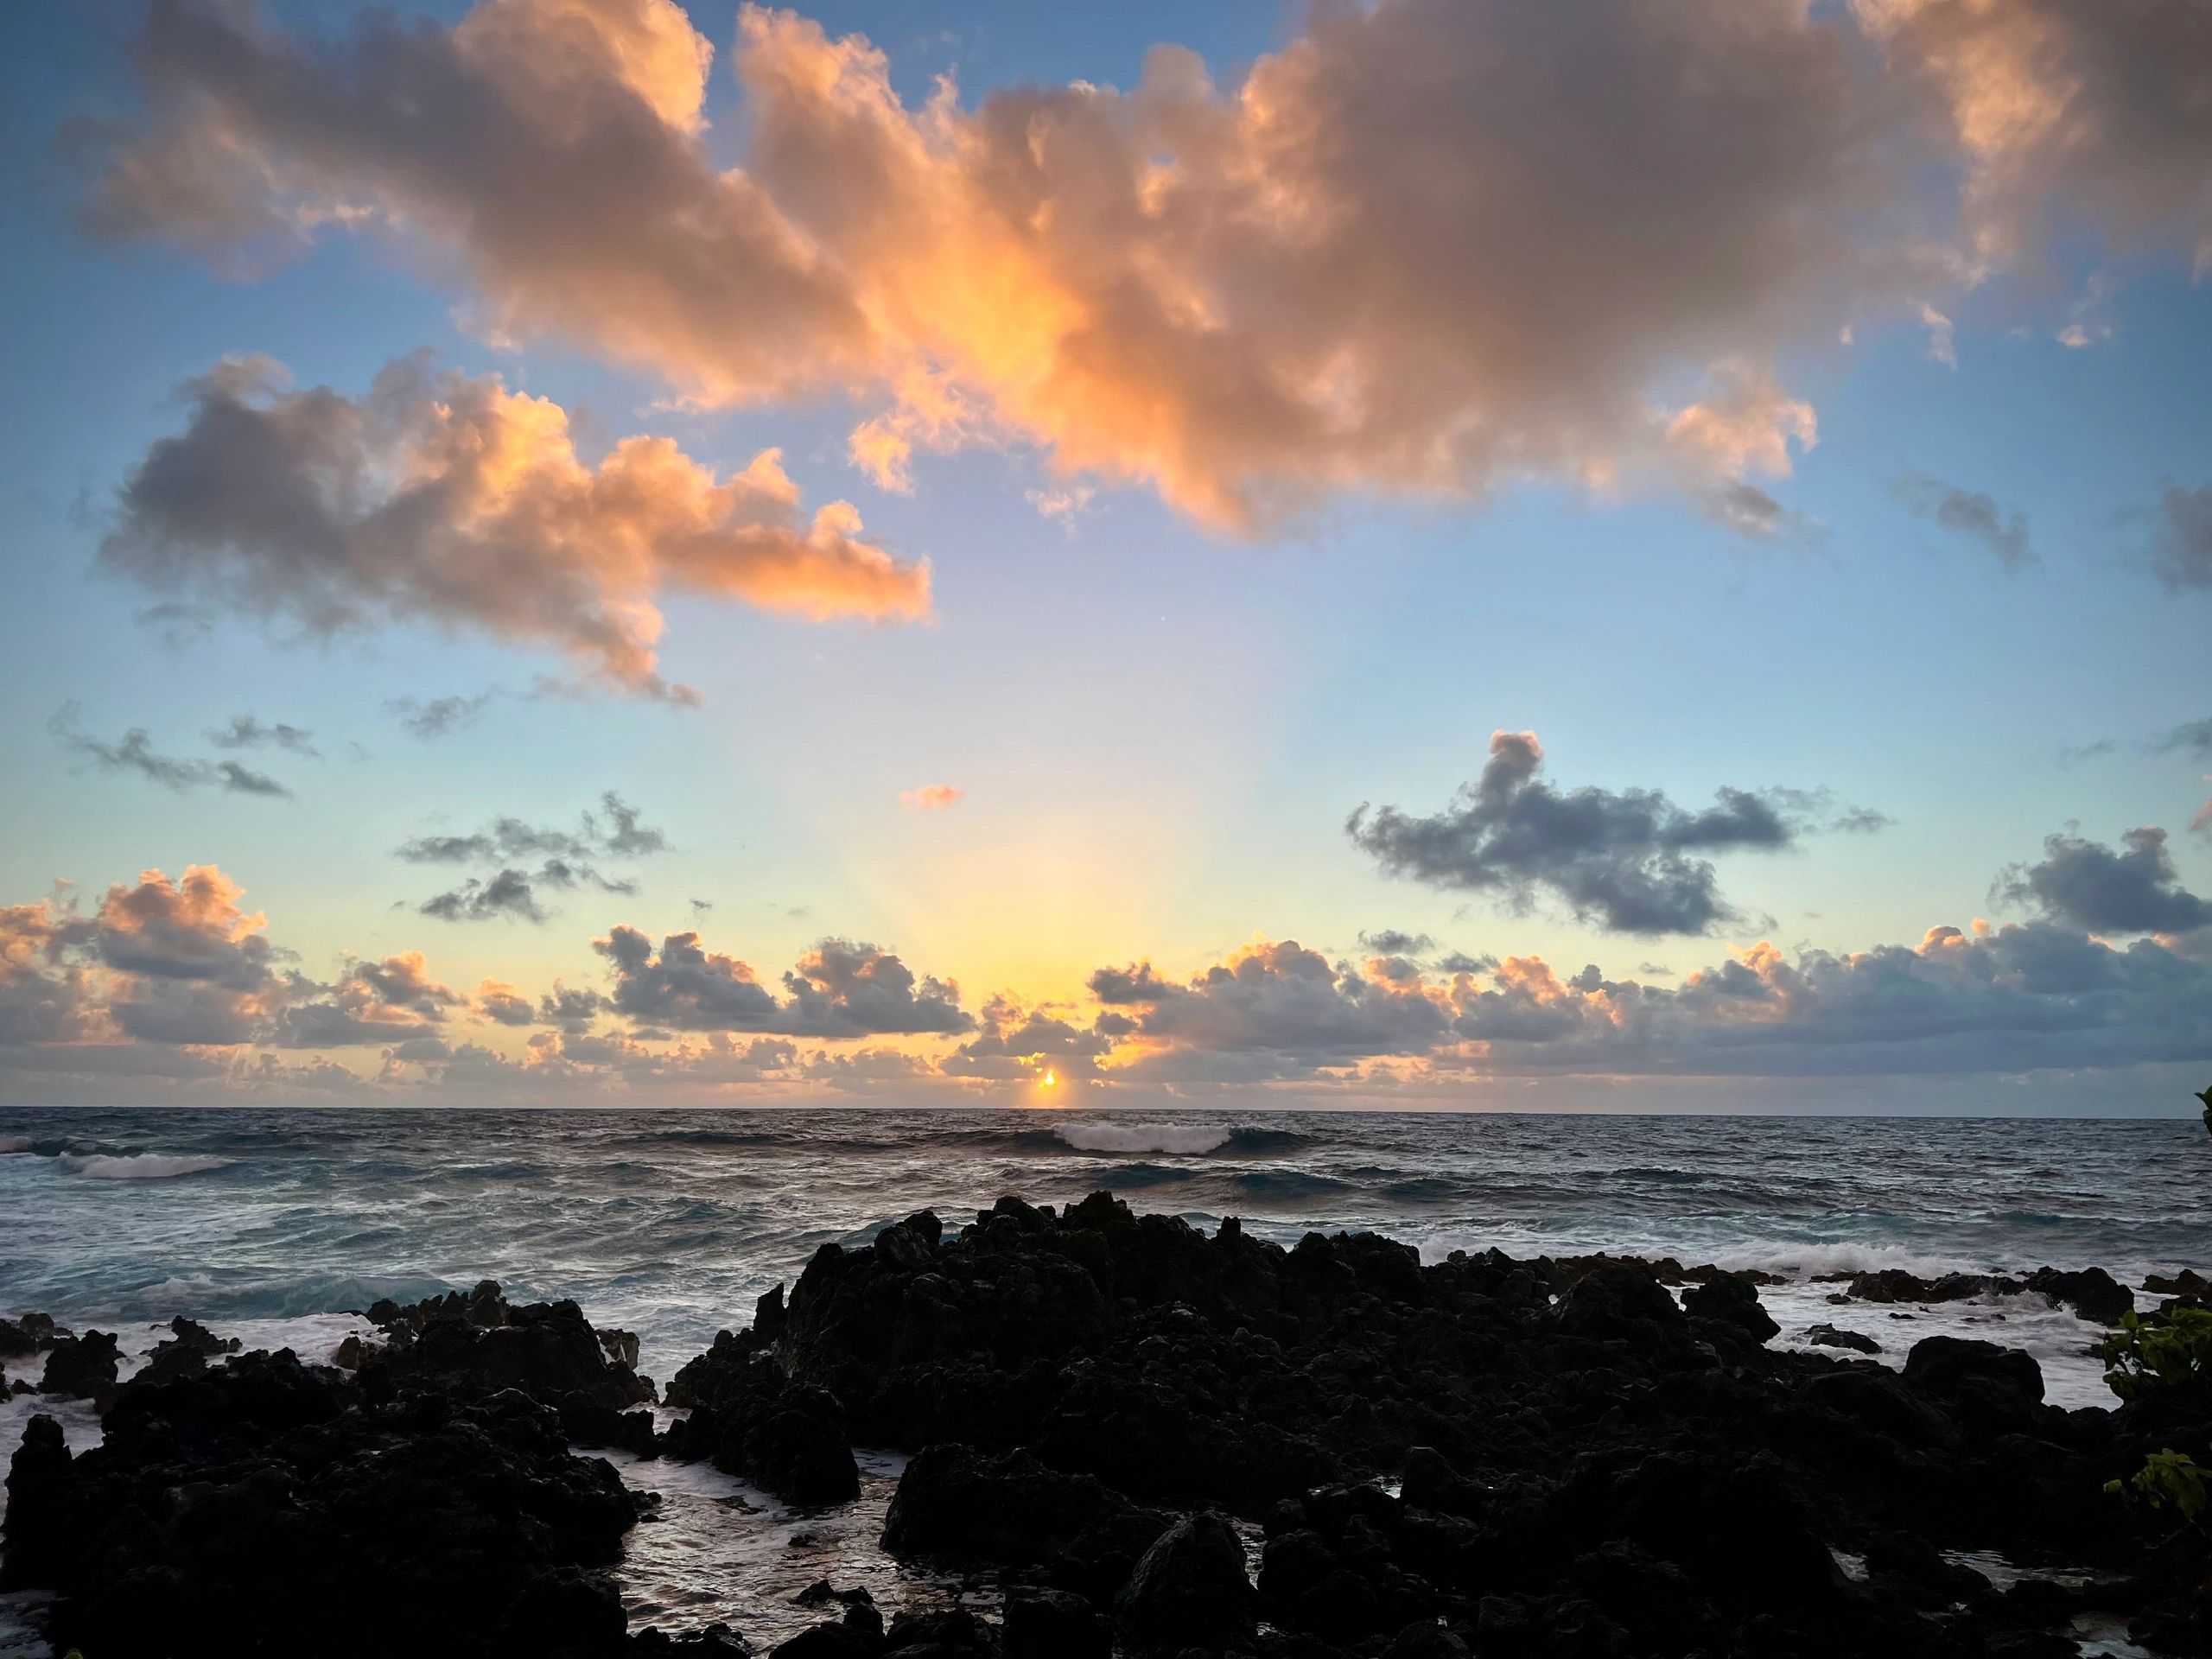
(260, 1496)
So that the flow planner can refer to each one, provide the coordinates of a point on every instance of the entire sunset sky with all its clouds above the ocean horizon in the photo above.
(1430, 554)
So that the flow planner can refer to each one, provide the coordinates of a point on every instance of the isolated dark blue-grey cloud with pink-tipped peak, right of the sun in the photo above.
(1627, 862)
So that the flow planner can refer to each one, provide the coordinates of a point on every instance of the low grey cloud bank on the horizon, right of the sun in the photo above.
(1990, 1001)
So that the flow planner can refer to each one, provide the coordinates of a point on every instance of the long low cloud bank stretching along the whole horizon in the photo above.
(171, 983)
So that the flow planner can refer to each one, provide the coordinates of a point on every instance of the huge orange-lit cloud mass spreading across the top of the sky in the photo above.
(1426, 249)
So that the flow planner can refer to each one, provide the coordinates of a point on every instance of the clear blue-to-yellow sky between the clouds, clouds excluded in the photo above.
(1156, 724)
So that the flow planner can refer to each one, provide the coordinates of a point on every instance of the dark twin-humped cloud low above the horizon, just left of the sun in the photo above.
(839, 990)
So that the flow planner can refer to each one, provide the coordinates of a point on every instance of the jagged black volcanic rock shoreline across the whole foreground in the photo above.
(1145, 1441)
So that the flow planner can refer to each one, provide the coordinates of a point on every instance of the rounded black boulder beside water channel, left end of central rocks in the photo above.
(753, 1419)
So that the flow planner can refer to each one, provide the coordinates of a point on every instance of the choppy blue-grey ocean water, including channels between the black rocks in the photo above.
(278, 1224)
